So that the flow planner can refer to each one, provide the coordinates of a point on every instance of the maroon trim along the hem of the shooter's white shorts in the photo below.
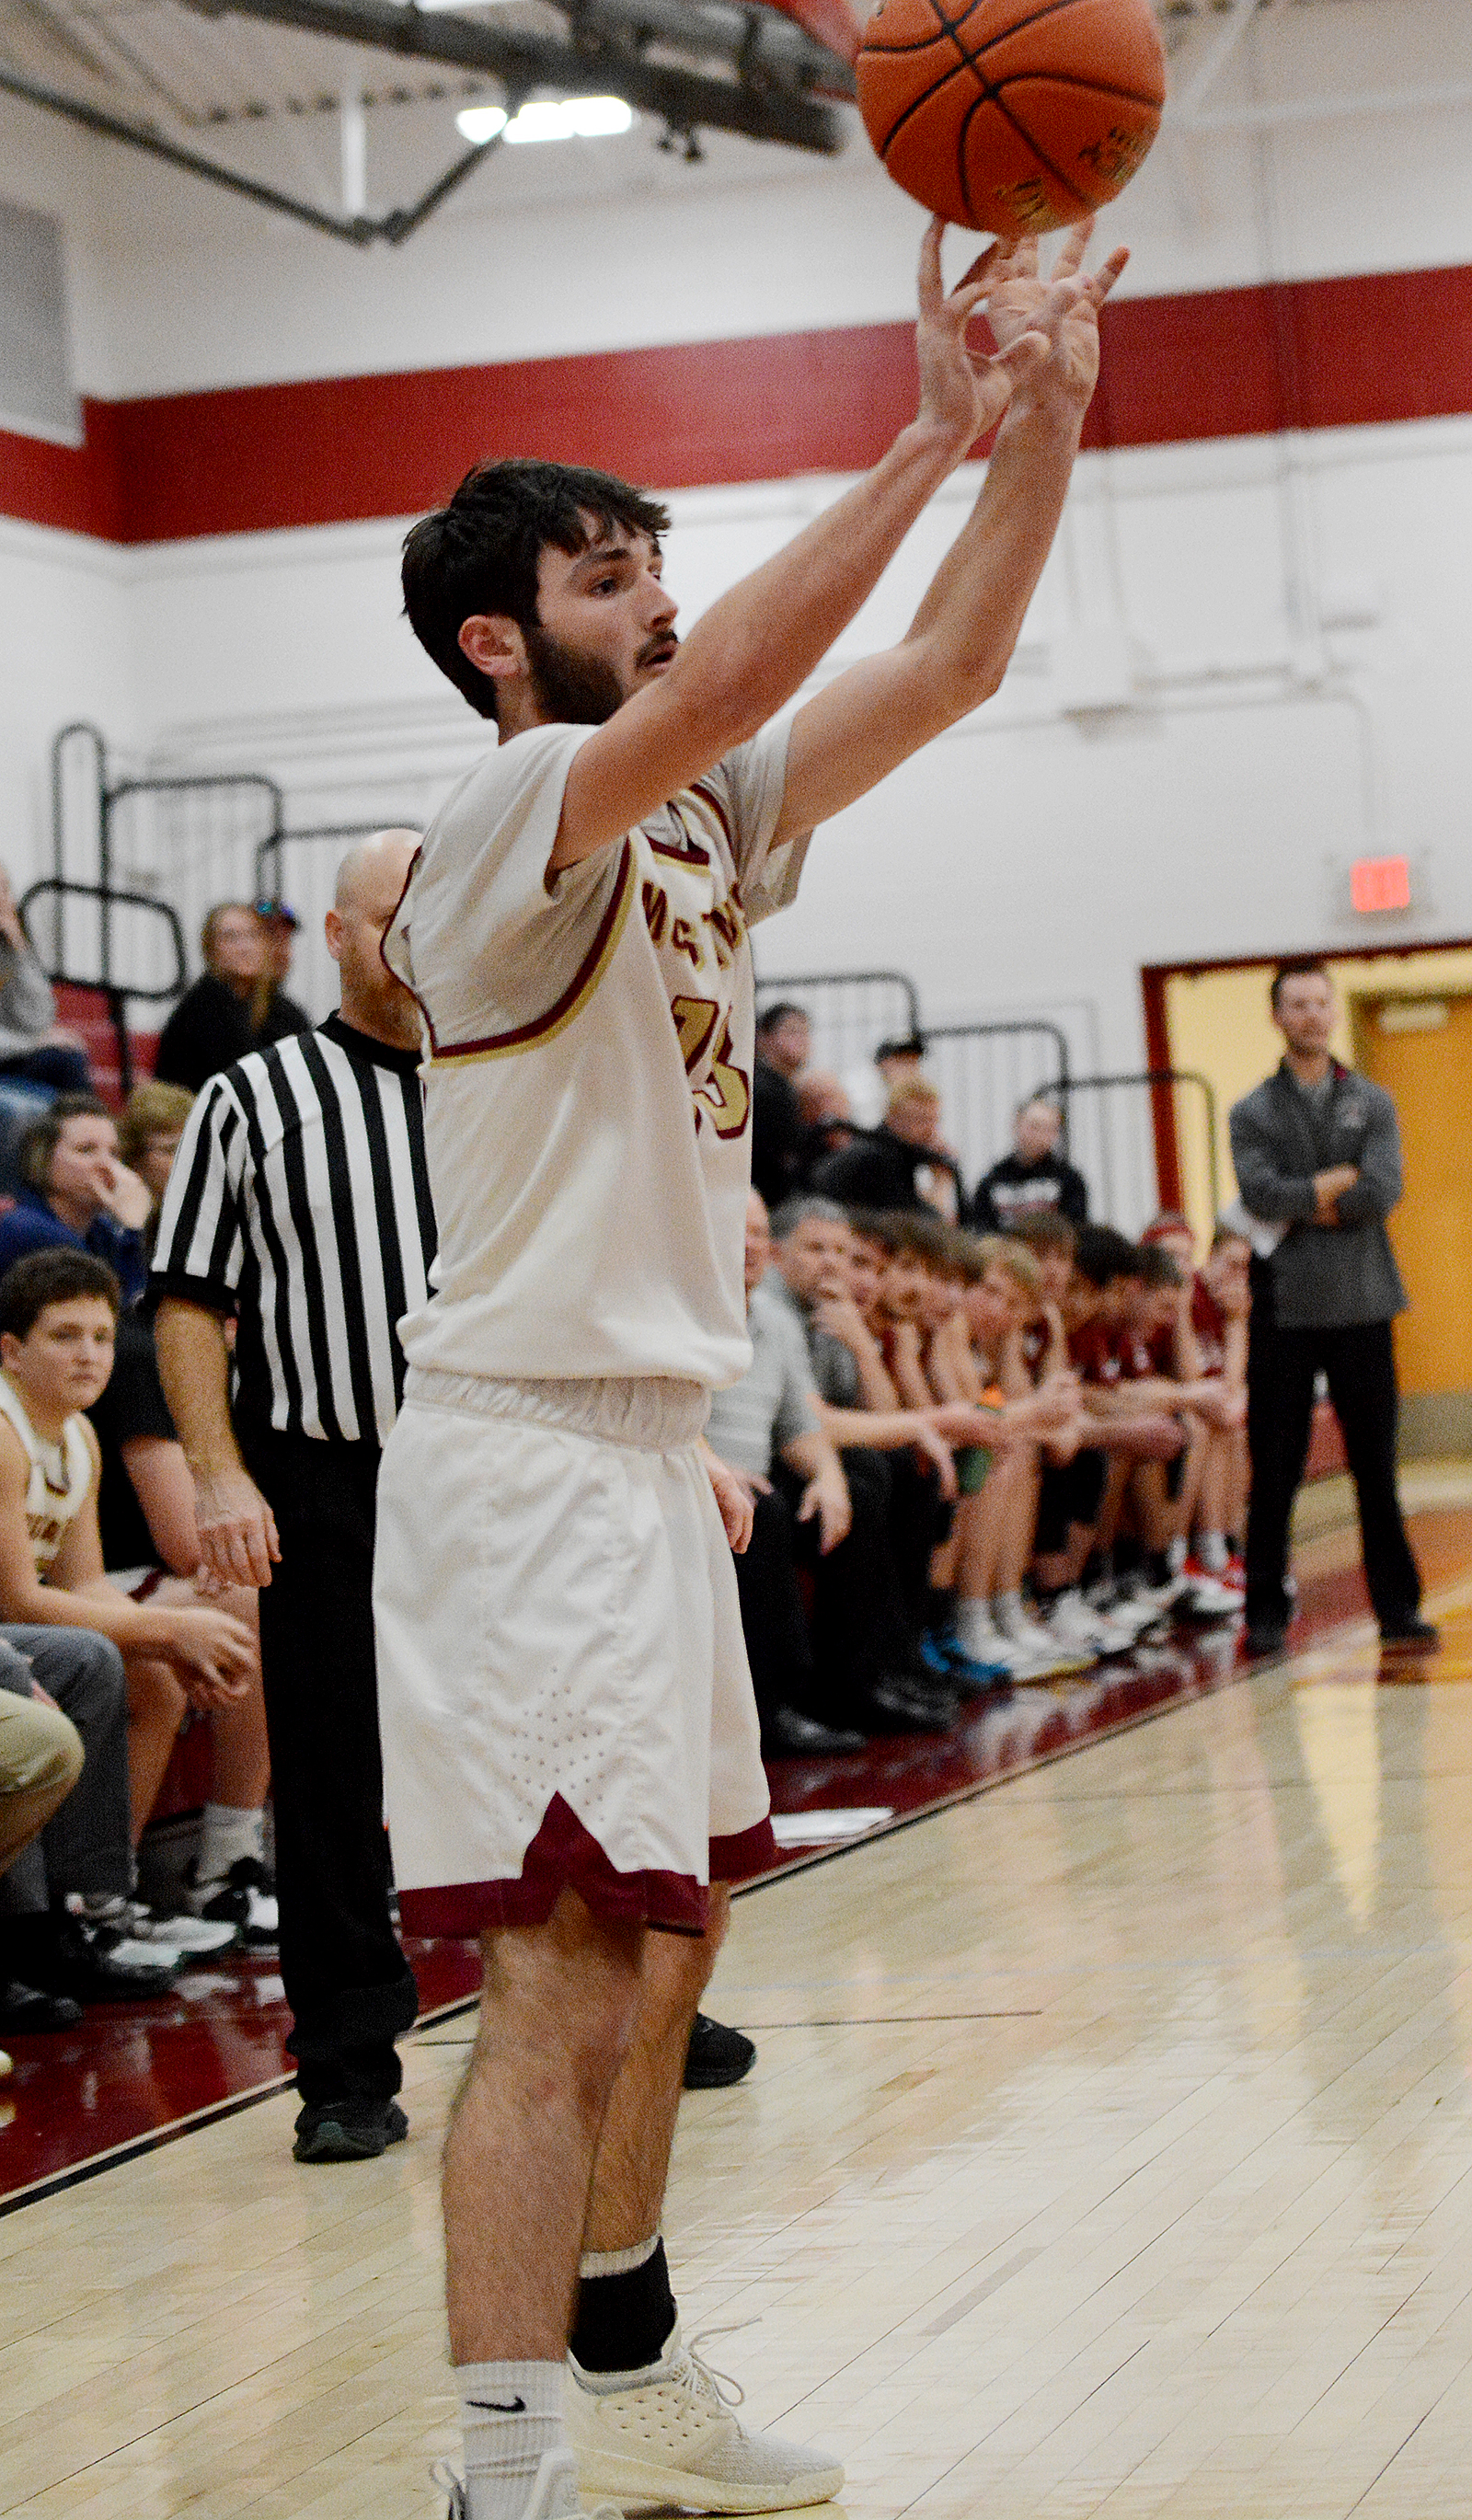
(563, 1856)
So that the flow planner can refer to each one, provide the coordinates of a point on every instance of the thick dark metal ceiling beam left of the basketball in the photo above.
(596, 59)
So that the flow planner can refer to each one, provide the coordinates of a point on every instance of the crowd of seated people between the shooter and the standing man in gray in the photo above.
(997, 1458)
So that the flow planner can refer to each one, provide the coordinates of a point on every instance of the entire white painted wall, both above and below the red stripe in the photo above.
(1042, 853)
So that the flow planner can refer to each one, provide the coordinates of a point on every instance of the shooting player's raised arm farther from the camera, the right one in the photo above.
(959, 644)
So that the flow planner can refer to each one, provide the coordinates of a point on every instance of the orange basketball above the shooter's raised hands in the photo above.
(1012, 117)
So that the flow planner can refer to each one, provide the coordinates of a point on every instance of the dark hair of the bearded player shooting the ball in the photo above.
(483, 551)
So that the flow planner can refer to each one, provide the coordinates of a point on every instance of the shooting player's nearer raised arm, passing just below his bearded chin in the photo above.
(760, 644)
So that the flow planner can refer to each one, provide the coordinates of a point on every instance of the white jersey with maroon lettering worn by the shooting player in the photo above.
(589, 1080)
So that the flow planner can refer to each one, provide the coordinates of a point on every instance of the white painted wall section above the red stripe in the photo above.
(609, 243)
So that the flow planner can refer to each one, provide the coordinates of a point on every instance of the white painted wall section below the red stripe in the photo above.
(1027, 863)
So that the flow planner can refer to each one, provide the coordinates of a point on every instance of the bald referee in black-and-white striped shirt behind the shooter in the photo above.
(299, 1208)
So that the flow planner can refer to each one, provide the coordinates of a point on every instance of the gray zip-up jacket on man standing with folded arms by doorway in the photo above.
(1325, 1276)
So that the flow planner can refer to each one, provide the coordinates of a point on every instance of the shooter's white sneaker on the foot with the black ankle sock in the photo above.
(674, 2441)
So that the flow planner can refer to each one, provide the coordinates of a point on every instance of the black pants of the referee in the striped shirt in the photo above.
(349, 1987)
